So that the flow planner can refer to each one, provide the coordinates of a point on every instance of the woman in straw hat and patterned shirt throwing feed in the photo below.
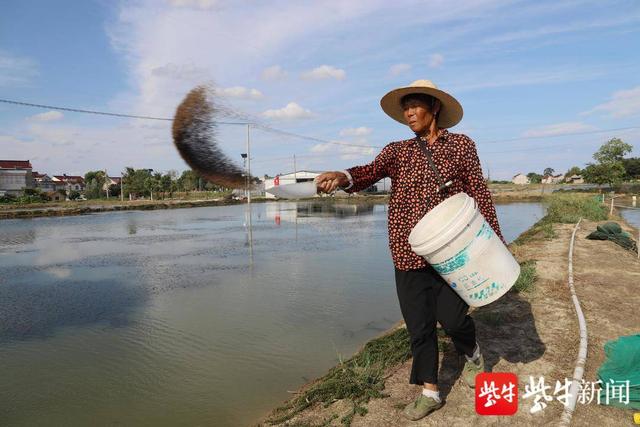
(424, 171)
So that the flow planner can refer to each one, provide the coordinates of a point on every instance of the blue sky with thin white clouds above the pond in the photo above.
(541, 82)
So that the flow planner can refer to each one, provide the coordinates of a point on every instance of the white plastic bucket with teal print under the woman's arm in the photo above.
(462, 247)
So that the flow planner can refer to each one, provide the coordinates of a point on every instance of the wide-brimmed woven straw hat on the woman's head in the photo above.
(450, 109)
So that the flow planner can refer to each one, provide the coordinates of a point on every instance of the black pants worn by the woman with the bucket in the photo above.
(425, 298)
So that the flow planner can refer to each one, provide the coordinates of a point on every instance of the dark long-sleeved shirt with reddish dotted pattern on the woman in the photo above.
(414, 186)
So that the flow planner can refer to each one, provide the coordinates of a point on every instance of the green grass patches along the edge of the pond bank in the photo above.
(362, 377)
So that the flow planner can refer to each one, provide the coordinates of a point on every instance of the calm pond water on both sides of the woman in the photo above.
(183, 317)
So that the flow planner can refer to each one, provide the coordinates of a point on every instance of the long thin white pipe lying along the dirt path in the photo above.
(578, 372)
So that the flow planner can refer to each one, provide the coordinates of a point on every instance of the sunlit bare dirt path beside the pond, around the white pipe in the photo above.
(530, 334)
